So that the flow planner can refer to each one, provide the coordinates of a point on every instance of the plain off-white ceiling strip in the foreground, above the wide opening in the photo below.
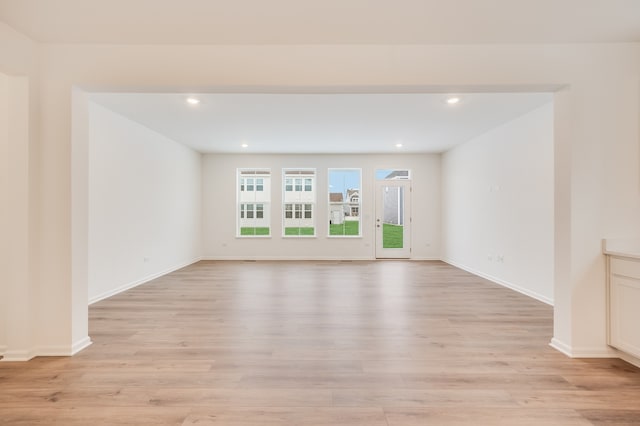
(324, 21)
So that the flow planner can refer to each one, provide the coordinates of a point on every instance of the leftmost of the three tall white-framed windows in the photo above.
(254, 198)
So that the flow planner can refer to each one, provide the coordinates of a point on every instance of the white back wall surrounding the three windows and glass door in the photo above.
(219, 195)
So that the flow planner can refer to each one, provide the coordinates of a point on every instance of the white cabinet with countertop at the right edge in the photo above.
(624, 304)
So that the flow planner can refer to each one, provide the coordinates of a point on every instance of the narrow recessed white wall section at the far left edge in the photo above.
(16, 320)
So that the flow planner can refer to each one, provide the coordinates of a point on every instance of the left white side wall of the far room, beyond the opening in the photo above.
(144, 204)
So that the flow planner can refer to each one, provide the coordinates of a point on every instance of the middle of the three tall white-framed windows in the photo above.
(299, 202)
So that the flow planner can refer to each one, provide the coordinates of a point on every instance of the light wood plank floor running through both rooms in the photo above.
(388, 343)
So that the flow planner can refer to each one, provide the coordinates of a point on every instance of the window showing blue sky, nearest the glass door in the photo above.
(344, 202)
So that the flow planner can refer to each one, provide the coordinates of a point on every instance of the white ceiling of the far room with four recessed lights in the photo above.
(321, 123)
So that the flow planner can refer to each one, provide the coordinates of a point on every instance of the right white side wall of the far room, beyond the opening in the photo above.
(497, 204)
